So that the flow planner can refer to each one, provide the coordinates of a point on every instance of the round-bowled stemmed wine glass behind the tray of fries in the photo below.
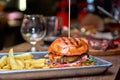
(33, 29)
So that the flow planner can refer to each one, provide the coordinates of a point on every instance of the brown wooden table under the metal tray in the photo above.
(109, 75)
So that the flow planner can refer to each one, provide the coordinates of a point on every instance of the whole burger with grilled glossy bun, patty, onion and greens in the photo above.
(69, 51)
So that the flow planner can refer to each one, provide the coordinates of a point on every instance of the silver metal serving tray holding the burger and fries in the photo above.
(99, 67)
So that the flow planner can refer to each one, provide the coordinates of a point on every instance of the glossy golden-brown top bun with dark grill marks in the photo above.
(64, 46)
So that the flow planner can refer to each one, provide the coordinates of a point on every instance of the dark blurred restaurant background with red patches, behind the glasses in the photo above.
(82, 11)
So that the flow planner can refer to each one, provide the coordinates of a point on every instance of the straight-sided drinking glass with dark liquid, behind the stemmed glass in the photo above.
(54, 29)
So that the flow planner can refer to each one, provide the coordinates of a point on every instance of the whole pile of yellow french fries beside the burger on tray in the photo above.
(21, 61)
